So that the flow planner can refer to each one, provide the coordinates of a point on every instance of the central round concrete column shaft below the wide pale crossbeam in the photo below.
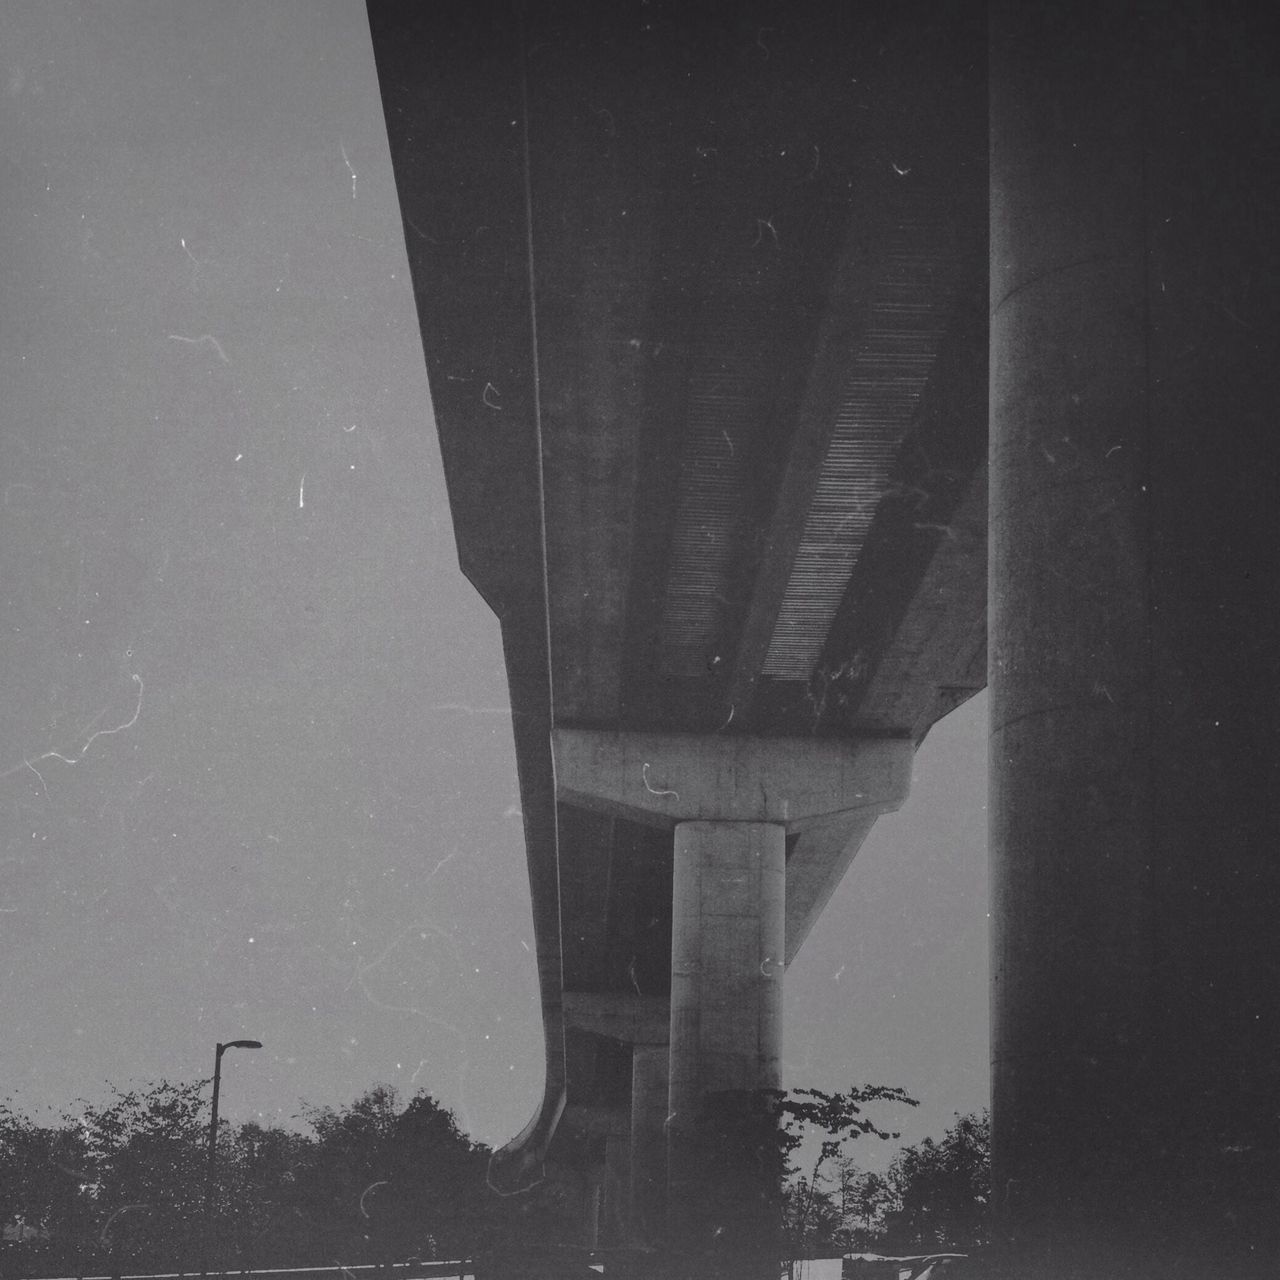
(726, 1030)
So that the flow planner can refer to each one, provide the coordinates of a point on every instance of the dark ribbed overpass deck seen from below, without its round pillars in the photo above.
(703, 296)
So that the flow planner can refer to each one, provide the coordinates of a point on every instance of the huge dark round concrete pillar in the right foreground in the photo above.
(1132, 642)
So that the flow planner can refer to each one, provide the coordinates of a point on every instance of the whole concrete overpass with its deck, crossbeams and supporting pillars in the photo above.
(705, 303)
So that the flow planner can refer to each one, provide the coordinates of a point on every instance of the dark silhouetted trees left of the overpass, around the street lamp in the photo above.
(122, 1186)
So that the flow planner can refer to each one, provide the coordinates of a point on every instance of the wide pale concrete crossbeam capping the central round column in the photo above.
(665, 779)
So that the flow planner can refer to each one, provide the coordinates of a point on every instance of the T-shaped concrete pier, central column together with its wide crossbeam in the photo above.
(732, 803)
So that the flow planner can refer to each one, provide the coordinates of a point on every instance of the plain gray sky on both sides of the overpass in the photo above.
(255, 771)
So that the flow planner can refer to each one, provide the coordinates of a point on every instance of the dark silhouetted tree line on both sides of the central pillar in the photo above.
(124, 1187)
